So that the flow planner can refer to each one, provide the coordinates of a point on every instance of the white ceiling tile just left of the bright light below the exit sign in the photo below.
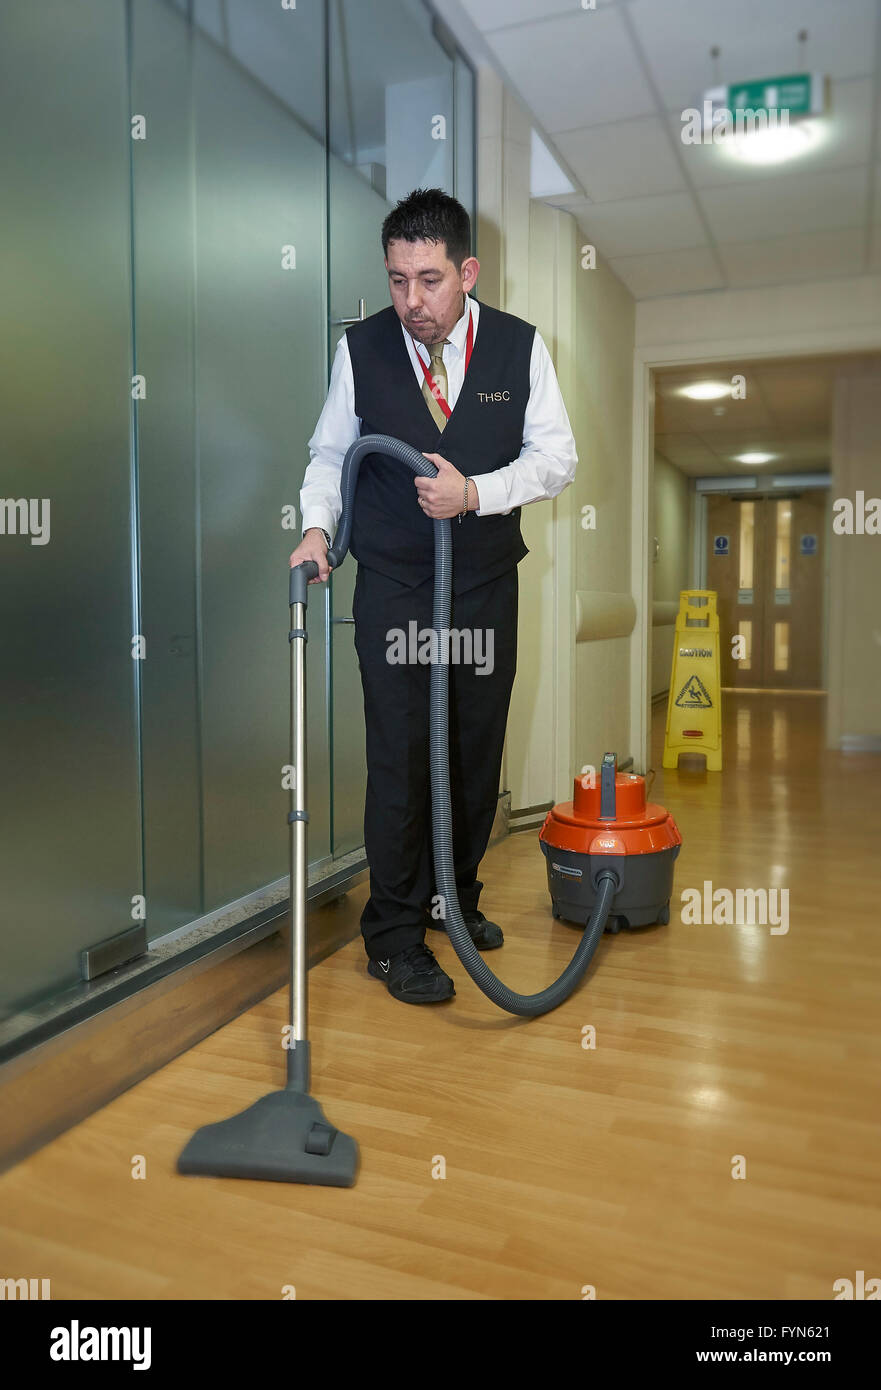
(626, 159)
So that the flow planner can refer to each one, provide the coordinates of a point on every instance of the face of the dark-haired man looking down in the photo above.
(427, 290)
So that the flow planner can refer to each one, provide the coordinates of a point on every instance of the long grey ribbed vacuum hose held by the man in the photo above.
(527, 1006)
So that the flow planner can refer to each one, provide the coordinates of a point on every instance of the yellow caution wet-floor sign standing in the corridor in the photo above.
(694, 710)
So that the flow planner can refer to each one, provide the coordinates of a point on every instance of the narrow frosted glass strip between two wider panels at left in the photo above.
(165, 275)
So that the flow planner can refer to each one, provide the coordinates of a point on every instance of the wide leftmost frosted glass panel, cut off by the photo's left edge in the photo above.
(70, 821)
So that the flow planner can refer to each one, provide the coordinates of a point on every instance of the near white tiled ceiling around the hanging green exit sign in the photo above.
(608, 88)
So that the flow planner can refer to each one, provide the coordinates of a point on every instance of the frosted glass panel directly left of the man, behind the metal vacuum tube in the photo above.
(261, 382)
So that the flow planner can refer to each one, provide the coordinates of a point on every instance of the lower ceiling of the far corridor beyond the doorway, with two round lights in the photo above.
(787, 412)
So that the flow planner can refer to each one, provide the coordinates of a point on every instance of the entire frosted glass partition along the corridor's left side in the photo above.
(180, 237)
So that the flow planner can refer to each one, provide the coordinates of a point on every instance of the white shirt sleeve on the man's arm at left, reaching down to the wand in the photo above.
(337, 430)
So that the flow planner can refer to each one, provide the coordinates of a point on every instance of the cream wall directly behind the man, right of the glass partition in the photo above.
(570, 701)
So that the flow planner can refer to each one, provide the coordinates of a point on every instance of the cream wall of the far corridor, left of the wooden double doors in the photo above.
(672, 526)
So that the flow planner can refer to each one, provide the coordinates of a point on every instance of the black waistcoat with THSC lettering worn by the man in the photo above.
(390, 530)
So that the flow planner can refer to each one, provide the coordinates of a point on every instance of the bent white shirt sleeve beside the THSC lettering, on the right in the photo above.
(547, 462)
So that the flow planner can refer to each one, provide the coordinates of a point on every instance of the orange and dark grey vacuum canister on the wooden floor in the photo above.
(611, 826)
